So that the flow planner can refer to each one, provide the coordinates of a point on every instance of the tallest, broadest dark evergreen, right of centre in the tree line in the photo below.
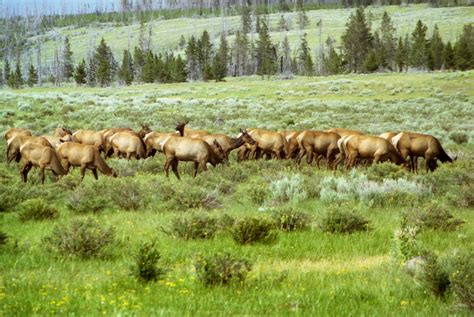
(357, 40)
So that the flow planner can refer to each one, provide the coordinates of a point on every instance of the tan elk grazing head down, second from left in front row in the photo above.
(85, 156)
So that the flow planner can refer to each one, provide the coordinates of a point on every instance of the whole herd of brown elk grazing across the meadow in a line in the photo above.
(89, 149)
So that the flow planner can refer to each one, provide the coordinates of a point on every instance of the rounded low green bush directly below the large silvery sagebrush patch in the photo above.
(341, 221)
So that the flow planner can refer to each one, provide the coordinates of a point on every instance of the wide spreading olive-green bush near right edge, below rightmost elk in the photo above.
(432, 217)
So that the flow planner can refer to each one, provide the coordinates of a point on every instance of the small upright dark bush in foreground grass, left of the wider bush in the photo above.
(146, 259)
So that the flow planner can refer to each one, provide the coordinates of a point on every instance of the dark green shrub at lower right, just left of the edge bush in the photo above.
(433, 275)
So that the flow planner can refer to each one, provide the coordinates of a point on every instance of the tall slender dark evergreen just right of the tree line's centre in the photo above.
(265, 52)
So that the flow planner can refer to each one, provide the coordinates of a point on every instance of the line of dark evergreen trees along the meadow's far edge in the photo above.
(361, 49)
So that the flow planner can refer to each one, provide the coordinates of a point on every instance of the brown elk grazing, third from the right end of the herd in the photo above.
(319, 143)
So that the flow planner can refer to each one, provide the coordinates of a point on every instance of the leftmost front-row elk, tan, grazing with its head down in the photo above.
(43, 157)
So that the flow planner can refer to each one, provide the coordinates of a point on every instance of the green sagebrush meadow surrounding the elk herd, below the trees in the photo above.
(308, 272)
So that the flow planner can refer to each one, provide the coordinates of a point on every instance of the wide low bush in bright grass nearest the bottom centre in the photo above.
(221, 269)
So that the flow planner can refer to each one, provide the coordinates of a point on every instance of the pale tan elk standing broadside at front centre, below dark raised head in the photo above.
(191, 150)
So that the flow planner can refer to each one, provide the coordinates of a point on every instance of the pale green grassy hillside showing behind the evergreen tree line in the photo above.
(166, 33)
